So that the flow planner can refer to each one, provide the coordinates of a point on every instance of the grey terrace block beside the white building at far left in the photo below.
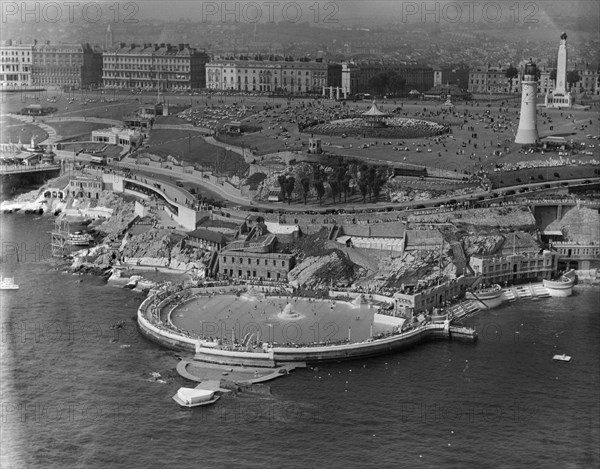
(68, 66)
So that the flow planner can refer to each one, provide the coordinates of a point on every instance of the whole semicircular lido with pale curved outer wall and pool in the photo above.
(242, 328)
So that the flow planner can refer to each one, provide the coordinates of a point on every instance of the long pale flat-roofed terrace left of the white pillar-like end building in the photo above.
(297, 76)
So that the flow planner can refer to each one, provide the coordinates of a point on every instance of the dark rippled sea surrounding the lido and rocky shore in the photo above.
(77, 391)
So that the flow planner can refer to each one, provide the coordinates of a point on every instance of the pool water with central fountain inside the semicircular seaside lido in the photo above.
(278, 320)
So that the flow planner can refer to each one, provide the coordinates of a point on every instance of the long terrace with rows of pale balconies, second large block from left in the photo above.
(154, 66)
